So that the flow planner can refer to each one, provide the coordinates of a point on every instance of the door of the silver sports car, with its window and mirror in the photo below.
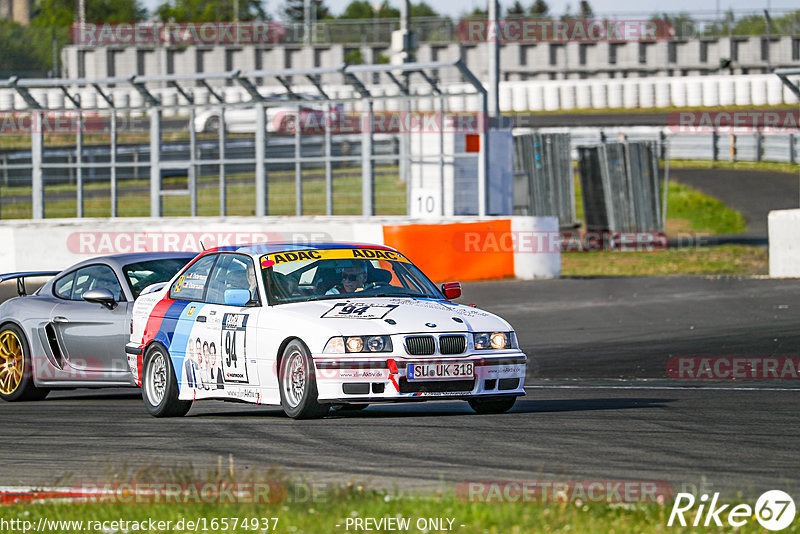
(91, 336)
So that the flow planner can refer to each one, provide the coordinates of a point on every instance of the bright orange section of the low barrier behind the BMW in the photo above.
(440, 251)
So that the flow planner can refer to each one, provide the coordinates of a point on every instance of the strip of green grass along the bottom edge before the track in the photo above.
(332, 515)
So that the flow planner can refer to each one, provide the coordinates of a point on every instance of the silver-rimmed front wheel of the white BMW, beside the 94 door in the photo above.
(298, 383)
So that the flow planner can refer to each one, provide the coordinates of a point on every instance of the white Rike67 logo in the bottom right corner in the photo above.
(774, 510)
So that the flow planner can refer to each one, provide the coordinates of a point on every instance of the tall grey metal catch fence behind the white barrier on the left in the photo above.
(325, 170)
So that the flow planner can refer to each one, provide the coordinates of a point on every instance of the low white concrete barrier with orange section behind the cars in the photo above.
(464, 248)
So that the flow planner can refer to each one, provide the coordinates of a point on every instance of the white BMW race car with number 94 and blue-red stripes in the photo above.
(313, 327)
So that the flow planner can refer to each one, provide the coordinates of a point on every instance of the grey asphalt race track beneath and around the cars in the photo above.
(599, 404)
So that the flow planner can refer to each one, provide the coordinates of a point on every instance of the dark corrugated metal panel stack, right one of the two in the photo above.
(620, 187)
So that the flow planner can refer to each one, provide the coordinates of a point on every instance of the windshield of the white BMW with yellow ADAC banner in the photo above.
(303, 275)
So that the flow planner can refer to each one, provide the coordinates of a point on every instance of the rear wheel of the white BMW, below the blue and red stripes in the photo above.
(159, 385)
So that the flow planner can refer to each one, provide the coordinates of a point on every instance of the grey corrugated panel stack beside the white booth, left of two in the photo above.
(544, 177)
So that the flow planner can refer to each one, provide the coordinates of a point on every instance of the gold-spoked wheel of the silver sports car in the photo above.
(16, 369)
